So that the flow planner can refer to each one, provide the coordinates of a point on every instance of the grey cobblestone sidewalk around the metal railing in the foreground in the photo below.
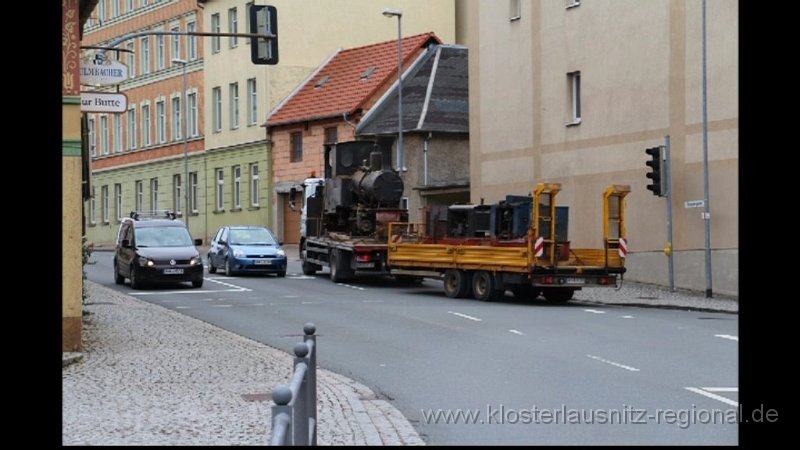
(151, 376)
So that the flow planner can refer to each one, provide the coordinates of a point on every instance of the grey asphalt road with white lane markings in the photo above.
(509, 372)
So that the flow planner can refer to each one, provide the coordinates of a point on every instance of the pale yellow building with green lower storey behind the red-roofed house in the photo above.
(309, 32)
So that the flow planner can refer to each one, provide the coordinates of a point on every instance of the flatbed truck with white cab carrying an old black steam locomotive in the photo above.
(345, 215)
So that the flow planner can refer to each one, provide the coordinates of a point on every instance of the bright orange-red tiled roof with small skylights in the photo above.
(348, 80)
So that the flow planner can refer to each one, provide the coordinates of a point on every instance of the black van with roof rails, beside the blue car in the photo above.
(150, 250)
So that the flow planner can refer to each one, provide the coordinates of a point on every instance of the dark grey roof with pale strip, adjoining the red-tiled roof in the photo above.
(435, 96)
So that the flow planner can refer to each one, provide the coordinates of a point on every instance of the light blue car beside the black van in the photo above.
(238, 249)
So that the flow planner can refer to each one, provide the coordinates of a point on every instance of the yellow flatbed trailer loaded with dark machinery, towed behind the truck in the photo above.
(518, 244)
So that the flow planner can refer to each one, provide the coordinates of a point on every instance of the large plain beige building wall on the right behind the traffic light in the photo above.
(574, 92)
